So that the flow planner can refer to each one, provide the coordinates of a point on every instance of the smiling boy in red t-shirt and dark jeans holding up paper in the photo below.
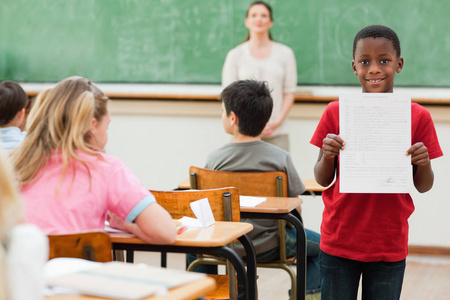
(367, 234)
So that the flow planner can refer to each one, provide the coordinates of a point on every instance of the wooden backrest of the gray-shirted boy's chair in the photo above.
(270, 184)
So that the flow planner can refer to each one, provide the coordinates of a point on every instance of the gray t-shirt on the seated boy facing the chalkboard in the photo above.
(257, 156)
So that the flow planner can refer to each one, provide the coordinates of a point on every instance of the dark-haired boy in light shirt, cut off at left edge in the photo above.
(13, 111)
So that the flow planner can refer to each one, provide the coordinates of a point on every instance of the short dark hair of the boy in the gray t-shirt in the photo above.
(250, 100)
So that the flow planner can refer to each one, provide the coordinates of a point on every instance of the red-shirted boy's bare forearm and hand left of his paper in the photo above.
(326, 164)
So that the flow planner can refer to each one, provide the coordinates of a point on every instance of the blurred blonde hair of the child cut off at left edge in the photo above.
(10, 214)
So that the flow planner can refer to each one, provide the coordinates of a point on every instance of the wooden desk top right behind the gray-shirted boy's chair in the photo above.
(275, 205)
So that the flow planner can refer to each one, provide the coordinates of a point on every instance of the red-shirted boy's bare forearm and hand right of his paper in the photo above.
(423, 175)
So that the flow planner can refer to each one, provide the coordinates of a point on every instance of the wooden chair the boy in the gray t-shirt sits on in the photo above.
(268, 184)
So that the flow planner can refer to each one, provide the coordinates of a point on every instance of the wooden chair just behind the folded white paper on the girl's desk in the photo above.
(225, 206)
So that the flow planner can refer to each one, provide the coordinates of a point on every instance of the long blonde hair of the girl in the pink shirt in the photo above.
(60, 120)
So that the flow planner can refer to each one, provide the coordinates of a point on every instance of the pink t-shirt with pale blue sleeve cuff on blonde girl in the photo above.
(81, 203)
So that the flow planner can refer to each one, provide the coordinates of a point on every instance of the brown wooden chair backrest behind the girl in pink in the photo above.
(92, 245)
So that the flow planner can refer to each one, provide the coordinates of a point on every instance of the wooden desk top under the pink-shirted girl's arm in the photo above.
(217, 235)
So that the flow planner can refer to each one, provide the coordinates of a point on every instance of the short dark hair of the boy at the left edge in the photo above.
(12, 100)
